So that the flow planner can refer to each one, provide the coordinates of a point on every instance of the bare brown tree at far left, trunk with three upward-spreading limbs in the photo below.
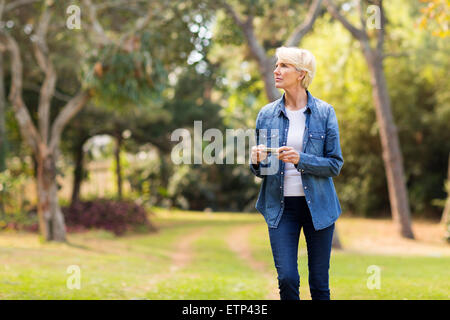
(44, 140)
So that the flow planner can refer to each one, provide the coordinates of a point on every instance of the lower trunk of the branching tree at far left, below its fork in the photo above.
(51, 219)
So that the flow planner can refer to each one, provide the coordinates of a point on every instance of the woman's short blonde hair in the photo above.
(301, 59)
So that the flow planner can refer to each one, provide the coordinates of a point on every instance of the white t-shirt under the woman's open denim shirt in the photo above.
(293, 185)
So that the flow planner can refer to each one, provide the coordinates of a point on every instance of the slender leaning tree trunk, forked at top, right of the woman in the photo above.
(392, 156)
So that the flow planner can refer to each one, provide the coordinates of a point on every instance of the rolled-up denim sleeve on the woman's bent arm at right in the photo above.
(330, 165)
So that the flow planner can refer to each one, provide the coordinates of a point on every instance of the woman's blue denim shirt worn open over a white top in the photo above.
(320, 160)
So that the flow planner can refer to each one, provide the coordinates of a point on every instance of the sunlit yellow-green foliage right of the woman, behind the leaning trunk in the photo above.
(419, 103)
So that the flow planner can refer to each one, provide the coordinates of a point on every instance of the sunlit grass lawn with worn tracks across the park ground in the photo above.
(197, 255)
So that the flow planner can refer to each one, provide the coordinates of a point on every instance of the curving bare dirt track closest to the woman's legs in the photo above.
(238, 242)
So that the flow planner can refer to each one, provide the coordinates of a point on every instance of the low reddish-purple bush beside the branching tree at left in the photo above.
(115, 216)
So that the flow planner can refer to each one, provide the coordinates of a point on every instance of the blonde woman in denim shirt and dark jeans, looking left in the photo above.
(297, 190)
